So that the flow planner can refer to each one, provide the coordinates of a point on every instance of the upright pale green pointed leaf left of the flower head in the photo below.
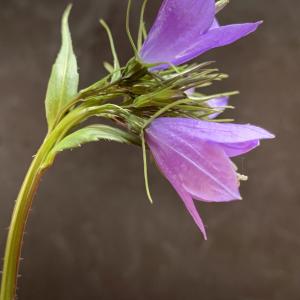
(63, 83)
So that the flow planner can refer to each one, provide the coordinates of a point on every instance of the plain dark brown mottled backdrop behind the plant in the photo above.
(92, 233)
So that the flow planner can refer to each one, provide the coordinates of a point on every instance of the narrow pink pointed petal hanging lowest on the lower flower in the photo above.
(171, 176)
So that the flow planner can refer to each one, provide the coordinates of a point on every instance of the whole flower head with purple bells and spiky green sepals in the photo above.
(163, 109)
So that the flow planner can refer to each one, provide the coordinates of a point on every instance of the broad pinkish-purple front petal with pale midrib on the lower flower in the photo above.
(203, 168)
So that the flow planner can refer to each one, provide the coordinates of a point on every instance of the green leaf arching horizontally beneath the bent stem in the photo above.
(92, 133)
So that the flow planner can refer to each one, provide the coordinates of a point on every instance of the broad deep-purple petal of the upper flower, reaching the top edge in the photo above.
(178, 24)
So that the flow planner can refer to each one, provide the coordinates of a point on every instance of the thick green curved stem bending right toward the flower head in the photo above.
(24, 201)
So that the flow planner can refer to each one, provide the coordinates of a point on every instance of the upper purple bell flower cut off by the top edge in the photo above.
(184, 29)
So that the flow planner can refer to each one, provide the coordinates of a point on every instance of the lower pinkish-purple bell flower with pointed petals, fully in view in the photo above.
(194, 156)
